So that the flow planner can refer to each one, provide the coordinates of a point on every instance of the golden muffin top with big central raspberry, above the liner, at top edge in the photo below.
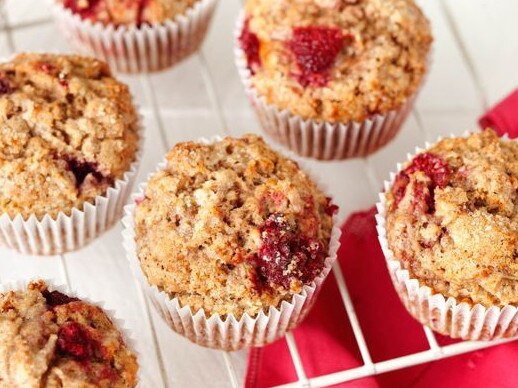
(336, 60)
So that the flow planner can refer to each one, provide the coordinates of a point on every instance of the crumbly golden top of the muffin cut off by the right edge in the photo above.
(452, 218)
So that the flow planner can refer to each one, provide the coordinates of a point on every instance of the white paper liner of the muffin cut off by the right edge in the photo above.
(443, 314)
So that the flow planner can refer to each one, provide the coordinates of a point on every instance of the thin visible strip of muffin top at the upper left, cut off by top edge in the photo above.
(128, 12)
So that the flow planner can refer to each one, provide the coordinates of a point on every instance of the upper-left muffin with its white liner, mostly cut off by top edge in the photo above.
(133, 35)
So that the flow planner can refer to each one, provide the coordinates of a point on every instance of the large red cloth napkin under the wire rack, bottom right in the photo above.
(326, 342)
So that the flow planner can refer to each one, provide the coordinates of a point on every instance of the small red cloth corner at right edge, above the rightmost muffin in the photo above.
(503, 117)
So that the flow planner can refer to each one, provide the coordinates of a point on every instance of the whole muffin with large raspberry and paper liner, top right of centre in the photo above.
(333, 79)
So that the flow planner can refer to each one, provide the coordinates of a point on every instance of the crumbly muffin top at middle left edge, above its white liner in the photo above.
(68, 130)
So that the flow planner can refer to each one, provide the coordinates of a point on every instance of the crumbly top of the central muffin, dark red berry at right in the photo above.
(232, 227)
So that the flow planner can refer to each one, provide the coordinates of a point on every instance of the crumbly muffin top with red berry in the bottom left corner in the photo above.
(48, 339)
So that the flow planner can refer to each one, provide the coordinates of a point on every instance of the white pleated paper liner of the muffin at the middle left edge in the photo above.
(65, 233)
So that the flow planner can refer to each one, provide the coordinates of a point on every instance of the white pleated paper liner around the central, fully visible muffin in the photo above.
(226, 333)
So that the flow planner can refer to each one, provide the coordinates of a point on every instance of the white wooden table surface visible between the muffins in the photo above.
(475, 64)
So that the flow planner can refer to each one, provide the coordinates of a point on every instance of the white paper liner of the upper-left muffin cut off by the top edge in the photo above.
(132, 49)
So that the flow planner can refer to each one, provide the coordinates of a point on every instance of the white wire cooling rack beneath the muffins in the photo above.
(235, 379)
